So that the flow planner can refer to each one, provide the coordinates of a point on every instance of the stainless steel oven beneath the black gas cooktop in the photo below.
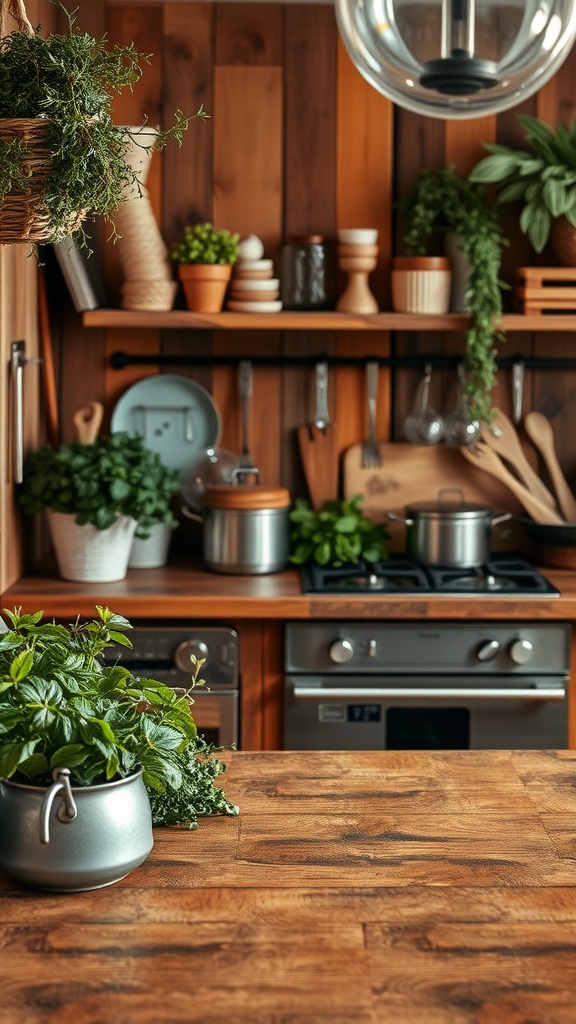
(426, 686)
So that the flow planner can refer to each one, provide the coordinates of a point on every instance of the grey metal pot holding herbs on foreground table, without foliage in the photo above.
(69, 839)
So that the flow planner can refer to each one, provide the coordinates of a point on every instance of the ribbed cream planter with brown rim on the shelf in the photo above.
(422, 284)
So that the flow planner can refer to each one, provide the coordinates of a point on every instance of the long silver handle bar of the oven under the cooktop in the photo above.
(319, 693)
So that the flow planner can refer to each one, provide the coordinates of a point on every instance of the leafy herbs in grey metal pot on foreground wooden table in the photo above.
(91, 756)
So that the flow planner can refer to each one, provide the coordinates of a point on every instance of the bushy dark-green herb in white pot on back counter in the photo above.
(99, 497)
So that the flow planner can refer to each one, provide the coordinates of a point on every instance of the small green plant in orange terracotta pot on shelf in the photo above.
(204, 258)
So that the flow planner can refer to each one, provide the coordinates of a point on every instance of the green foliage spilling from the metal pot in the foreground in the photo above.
(62, 705)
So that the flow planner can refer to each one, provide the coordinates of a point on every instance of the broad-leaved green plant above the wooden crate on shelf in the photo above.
(543, 177)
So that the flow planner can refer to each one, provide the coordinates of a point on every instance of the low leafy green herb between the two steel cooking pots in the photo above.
(338, 534)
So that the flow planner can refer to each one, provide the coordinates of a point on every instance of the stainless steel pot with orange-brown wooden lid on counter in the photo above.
(246, 529)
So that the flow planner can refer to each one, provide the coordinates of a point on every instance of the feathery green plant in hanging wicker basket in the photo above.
(62, 157)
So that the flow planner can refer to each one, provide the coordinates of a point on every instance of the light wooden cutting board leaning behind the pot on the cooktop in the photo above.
(416, 474)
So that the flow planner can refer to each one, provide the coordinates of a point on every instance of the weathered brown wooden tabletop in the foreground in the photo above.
(354, 888)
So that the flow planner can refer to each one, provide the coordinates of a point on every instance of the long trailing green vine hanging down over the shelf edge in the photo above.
(444, 201)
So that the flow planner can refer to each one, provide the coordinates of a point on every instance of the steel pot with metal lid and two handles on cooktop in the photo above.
(451, 533)
